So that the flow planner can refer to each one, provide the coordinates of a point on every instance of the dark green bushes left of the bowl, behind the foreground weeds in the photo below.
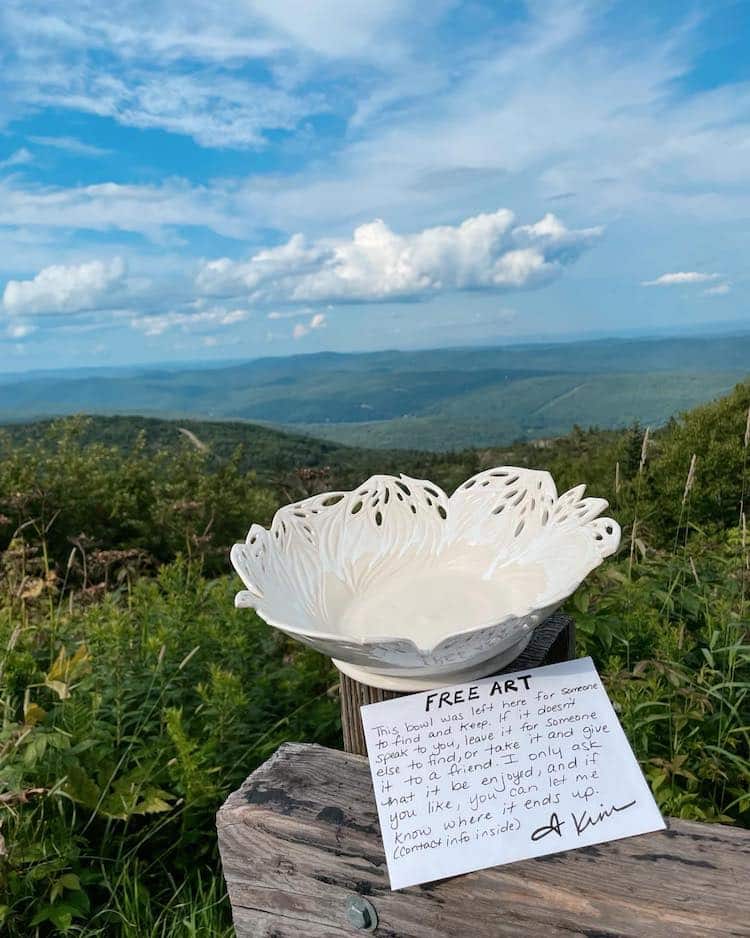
(90, 503)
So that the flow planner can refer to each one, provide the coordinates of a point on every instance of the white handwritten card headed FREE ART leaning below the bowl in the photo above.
(502, 769)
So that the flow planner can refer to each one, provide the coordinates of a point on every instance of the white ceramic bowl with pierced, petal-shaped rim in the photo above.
(407, 588)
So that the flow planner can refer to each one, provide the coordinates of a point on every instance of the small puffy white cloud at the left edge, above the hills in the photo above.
(61, 289)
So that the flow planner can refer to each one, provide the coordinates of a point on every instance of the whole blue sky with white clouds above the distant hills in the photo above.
(191, 179)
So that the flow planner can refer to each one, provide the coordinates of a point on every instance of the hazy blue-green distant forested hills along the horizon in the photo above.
(437, 399)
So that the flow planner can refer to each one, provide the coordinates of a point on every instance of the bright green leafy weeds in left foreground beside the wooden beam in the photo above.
(126, 723)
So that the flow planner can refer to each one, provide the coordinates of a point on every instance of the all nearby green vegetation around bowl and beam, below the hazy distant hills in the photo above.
(134, 697)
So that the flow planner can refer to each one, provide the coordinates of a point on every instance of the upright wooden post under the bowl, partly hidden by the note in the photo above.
(554, 640)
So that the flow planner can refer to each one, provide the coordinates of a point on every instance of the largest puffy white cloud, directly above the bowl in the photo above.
(484, 252)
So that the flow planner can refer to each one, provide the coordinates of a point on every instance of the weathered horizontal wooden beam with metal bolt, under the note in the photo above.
(302, 856)
